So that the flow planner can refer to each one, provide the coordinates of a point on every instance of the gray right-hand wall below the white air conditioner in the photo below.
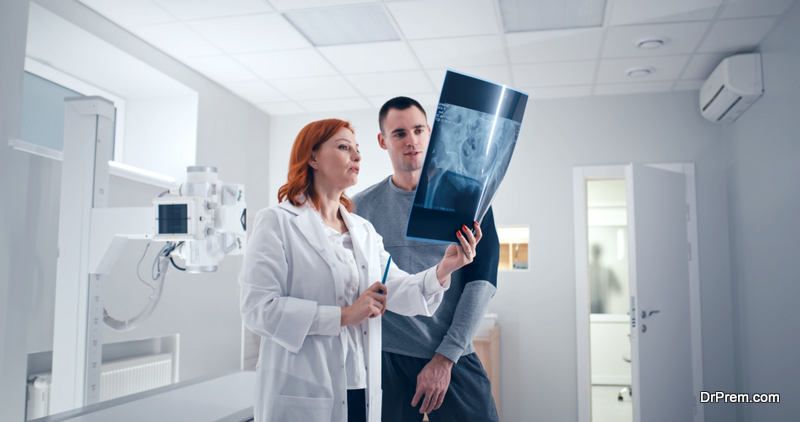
(763, 152)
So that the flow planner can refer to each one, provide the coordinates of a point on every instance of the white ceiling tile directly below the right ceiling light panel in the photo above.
(554, 46)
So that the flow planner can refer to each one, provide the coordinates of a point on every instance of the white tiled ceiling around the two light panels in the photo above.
(249, 47)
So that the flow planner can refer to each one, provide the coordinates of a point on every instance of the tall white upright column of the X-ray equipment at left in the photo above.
(77, 337)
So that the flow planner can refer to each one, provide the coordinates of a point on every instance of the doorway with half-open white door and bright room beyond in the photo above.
(608, 337)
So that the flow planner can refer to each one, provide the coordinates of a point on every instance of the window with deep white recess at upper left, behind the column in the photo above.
(156, 115)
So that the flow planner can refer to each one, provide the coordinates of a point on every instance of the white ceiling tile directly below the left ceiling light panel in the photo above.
(371, 57)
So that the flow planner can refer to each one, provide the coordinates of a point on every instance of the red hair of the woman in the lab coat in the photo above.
(300, 180)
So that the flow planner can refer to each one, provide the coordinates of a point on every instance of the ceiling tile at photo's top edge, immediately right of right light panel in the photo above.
(627, 12)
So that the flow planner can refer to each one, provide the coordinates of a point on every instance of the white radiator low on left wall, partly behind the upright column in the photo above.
(117, 379)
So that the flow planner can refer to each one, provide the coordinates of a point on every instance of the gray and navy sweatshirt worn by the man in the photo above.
(450, 330)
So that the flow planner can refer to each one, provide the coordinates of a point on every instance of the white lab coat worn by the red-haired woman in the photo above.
(288, 277)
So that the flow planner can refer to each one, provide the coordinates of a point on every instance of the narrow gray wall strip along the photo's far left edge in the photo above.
(14, 167)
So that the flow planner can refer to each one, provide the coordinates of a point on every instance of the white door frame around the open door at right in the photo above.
(580, 175)
